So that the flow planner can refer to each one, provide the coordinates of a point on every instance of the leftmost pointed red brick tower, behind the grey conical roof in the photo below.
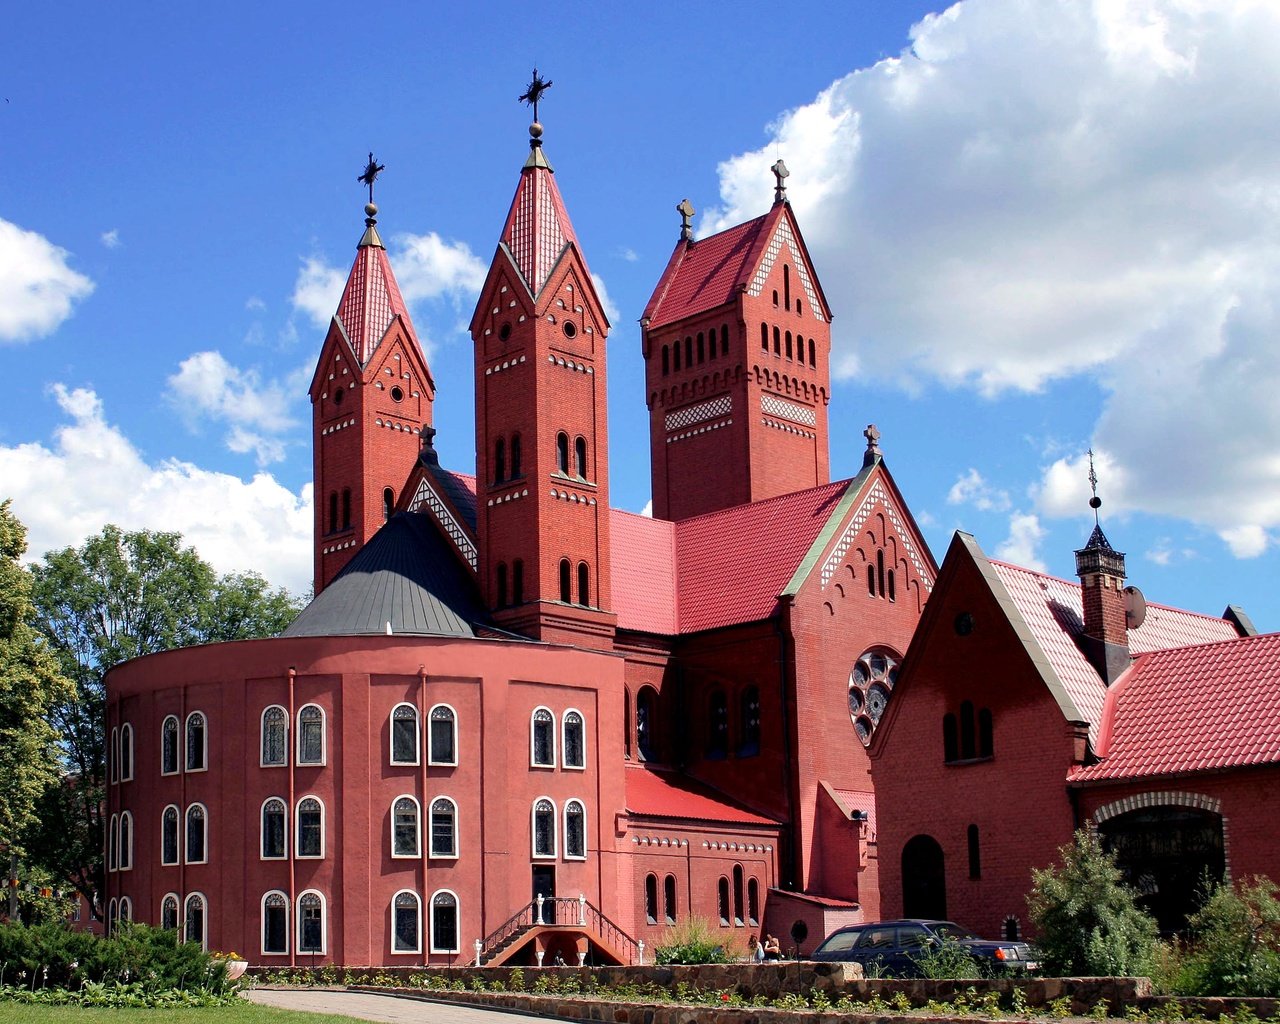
(371, 399)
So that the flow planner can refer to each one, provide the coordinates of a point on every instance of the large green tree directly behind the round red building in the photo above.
(121, 596)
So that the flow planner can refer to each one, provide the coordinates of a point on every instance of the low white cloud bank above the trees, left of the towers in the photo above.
(100, 477)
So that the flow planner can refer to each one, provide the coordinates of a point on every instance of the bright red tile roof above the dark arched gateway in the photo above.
(1192, 710)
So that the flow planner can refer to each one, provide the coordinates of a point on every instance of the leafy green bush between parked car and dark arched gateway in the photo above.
(1086, 918)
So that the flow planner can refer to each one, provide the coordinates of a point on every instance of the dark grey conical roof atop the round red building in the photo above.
(408, 575)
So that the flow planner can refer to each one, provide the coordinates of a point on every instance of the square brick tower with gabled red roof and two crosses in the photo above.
(737, 344)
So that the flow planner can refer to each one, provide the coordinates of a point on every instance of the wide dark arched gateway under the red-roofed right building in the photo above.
(1172, 856)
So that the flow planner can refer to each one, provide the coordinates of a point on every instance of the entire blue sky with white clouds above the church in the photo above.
(1041, 226)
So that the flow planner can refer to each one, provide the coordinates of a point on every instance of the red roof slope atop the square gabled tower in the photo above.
(705, 275)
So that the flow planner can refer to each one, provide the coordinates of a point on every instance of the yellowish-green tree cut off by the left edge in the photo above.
(31, 684)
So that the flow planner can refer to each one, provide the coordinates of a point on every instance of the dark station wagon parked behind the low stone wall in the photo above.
(894, 948)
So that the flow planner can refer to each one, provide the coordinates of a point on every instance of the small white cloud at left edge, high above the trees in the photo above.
(38, 286)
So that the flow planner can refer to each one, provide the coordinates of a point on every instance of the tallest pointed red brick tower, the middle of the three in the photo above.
(542, 427)
